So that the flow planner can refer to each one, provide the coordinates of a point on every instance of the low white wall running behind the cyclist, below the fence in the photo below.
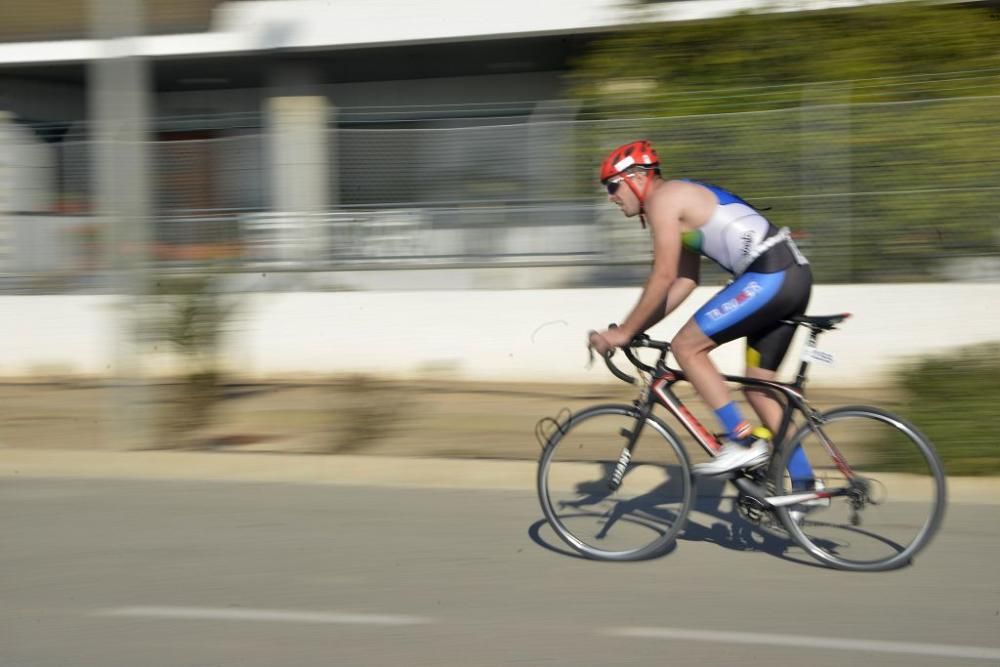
(535, 335)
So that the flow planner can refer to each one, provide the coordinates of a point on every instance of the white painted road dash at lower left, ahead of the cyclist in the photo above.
(272, 615)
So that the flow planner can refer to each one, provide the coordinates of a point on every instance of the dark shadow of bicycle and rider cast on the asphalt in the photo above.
(713, 518)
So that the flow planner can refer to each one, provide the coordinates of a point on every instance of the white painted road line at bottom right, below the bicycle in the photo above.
(682, 634)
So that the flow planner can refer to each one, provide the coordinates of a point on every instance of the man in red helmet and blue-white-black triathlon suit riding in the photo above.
(771, 281)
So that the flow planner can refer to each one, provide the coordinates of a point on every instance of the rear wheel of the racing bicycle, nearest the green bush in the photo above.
(883, 513)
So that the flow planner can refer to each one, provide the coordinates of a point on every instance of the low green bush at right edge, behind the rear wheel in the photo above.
(953, 398)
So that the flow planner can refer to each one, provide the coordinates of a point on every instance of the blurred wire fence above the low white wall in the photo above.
(875, 192)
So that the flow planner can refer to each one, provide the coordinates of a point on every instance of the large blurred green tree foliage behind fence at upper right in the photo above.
(874, 129)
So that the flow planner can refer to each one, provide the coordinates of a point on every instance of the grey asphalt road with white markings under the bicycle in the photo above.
(100, 573)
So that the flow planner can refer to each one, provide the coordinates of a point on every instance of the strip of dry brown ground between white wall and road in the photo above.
(357, 415)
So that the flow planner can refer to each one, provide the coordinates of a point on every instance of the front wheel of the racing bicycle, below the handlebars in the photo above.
(639, 518)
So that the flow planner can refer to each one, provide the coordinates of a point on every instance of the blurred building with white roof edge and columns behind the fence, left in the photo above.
(308, 132)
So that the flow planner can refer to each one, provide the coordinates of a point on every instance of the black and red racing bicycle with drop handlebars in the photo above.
(615, 480)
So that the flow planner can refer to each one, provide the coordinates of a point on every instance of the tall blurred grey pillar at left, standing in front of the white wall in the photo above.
(119, 92)
